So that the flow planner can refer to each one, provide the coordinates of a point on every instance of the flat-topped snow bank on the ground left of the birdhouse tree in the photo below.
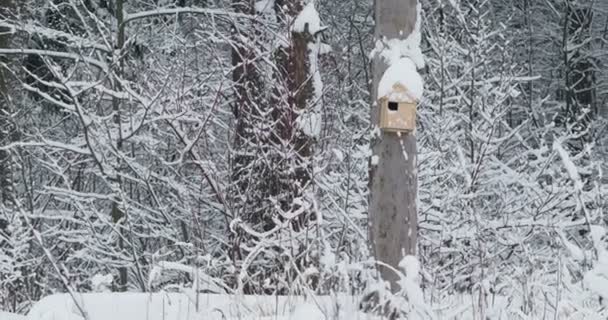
(180, 306)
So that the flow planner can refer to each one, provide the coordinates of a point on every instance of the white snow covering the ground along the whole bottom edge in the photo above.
(180, 306)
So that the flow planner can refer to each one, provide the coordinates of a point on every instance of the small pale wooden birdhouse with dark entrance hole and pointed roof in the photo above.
(397, 110)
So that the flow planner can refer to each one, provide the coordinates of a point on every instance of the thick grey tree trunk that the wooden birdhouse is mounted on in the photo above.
(393, 178)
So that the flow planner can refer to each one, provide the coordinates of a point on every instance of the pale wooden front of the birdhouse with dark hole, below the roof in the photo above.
(397, 116)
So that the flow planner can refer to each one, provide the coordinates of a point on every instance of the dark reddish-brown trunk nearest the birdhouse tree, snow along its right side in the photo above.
(294, 65)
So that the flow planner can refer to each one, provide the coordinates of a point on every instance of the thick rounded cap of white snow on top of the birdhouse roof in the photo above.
(402, 72)
